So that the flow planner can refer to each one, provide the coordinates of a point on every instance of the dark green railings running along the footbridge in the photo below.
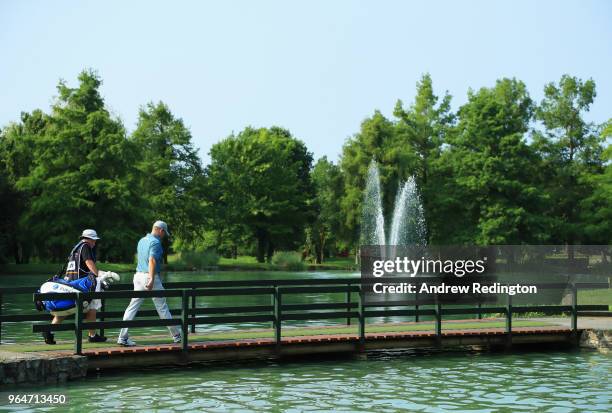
(278, 311)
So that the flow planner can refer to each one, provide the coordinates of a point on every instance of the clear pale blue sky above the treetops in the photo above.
(317, 68)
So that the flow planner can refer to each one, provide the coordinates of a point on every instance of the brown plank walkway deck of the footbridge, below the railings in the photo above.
(117, 357)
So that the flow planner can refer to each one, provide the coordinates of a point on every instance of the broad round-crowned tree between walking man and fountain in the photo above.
(262, 184)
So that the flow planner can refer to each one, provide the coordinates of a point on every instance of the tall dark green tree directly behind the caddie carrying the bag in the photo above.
(80, 175)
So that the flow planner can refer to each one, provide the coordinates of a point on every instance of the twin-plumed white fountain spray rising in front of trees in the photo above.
(407, 221)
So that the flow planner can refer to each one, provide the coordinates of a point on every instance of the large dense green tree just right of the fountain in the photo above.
(493, 198)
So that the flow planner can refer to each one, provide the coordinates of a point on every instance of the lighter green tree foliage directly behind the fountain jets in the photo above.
(409, 146)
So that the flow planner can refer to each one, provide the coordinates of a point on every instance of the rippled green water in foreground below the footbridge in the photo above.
(384, 382)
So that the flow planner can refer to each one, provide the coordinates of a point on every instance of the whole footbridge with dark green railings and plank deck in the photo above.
(357, 325)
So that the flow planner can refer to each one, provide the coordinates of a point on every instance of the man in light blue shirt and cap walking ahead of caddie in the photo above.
(150, 255)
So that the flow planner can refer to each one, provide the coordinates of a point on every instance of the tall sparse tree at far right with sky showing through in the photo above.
(570, 148)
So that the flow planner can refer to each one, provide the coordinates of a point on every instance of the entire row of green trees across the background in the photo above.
(502, 169)
